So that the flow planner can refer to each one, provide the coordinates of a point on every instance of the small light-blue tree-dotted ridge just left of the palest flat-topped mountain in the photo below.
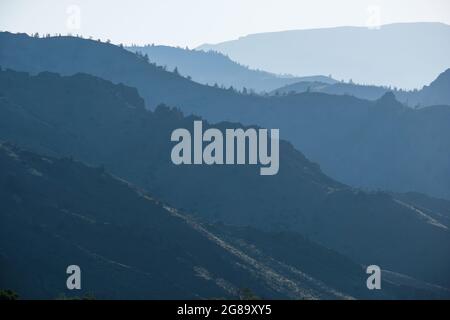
(215, 68)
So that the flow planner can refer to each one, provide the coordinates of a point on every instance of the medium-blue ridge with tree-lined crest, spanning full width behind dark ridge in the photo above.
(403, 150)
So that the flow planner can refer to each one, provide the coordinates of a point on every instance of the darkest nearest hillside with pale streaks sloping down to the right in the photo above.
(129, 245)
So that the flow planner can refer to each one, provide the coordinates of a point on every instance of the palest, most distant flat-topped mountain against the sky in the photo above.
(404, 55)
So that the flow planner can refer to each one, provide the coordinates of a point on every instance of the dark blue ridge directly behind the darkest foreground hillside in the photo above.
(107, 125)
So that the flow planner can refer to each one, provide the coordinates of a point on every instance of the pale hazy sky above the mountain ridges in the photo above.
(194, 22)
